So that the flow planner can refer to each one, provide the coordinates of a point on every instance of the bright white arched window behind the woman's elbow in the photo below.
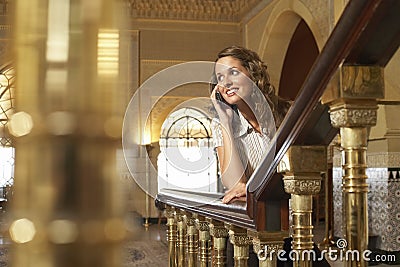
(187, 159)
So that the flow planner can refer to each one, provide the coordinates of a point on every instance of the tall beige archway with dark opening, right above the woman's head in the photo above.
(290, 28)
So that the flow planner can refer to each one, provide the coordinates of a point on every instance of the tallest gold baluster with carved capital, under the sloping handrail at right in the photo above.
(352, 96)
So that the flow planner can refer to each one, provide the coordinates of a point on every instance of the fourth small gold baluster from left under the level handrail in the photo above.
(204, 241)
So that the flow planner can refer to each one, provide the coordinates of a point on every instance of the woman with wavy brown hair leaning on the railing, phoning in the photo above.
(247, 112)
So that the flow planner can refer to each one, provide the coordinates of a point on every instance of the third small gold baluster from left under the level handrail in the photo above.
(192, 239)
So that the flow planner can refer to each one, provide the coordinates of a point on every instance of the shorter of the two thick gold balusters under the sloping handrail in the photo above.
(301, 168)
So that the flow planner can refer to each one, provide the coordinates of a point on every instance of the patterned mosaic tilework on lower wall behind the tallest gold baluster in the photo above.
(383, 206)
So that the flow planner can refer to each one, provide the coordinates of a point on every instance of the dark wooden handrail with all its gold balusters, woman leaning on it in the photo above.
(301, 140)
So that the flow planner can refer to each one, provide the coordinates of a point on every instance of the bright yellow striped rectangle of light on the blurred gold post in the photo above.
(108, 52)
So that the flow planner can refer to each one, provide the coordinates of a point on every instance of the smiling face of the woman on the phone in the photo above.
(233, 80)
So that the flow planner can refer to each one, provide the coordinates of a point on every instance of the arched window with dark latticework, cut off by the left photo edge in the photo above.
(7, 151)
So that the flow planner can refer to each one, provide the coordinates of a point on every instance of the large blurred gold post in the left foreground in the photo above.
(67, 209)
